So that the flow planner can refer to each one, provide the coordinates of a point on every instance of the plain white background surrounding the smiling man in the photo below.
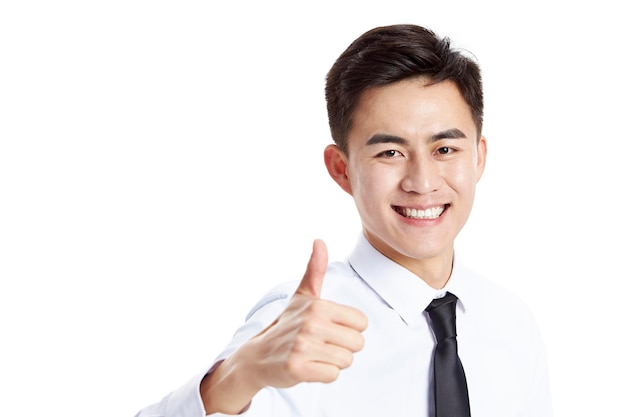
(161, 167)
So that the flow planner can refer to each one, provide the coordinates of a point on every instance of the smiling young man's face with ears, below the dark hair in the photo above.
(413, 164)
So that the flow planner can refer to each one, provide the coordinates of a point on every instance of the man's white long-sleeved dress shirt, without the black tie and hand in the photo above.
(499, 346)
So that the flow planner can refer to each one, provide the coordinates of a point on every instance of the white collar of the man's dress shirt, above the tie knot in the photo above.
(401, 289)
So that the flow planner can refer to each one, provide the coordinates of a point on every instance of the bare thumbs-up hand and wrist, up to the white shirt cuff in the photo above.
(312, 340)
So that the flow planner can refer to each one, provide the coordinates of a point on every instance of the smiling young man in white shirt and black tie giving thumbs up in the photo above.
(354, 338)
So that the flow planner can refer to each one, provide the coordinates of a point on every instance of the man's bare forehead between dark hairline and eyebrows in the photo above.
(410, 108)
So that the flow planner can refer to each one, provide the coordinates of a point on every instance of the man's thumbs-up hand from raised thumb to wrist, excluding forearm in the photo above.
(313, 339)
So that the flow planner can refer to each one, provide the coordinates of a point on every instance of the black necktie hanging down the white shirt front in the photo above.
(451, 398)
